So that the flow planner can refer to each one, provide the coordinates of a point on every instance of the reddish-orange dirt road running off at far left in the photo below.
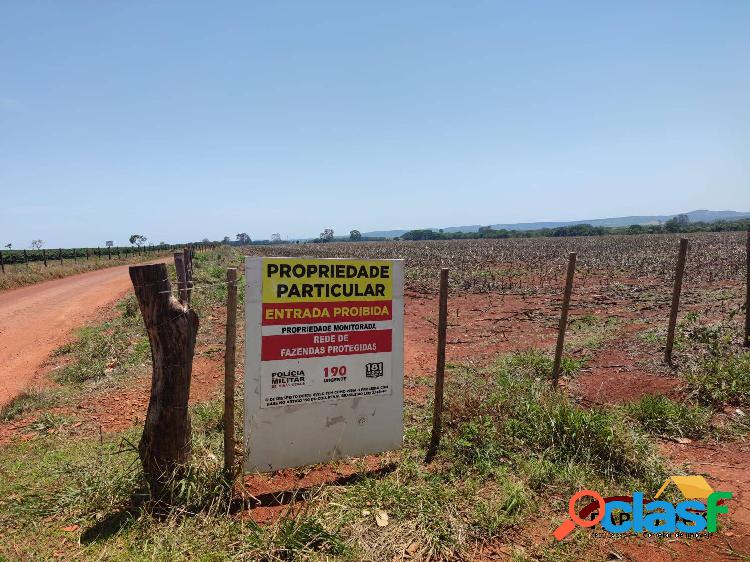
(37, 319)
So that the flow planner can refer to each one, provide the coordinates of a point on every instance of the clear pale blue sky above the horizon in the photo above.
(184, 120)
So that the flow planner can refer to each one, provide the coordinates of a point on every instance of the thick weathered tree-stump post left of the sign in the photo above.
(172, 330)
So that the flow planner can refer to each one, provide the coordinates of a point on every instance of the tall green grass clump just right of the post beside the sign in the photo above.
(508, 417)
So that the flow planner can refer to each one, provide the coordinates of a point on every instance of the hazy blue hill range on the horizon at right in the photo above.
(701, 215)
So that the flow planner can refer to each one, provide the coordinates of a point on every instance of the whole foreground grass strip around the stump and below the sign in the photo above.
(511, 448)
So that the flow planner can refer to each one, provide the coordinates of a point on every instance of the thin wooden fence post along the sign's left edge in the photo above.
(229, 367)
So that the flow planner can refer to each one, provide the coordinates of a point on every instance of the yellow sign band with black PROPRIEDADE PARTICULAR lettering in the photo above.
(309, 271)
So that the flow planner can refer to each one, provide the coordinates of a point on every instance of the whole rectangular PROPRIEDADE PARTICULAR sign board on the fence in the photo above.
(324, 363)
